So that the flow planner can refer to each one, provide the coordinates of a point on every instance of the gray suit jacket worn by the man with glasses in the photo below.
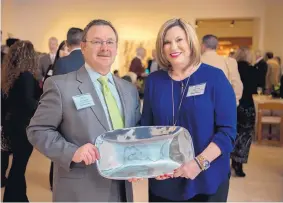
(57, 130)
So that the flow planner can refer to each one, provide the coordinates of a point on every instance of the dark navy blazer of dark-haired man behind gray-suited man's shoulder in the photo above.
(70, 63)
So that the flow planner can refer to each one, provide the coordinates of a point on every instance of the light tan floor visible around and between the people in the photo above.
(264, 180)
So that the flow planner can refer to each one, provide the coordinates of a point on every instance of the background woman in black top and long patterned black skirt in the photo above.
(245, 112)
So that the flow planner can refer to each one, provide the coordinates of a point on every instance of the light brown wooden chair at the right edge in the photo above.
(273, 120)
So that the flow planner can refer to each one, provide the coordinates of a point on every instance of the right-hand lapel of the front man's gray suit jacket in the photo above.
(123, 96)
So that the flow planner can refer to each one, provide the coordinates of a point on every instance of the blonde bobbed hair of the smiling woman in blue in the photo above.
(191, 38)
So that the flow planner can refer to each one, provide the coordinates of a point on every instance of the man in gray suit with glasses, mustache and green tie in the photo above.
(78, 107)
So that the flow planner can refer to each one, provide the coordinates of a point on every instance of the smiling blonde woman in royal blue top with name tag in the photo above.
(199, 98)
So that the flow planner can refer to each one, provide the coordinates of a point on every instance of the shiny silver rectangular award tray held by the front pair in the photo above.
(143, 152)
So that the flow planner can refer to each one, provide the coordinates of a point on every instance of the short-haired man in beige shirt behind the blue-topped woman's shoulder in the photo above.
(227, 65)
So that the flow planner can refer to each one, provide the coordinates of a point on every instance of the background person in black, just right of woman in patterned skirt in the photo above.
(261, 67)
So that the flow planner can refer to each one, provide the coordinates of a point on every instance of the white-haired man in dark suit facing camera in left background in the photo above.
(47, 60)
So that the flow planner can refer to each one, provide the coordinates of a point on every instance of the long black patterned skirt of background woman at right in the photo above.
(245, 133)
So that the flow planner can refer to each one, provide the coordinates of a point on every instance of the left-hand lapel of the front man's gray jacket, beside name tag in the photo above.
(86, 86)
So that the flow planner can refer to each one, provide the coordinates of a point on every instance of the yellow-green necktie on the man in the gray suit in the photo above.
(113, 110)
